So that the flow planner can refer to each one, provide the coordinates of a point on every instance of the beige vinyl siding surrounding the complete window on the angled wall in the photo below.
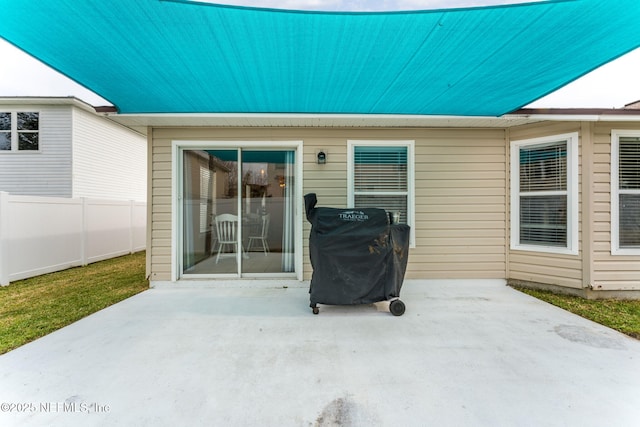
(549, 268)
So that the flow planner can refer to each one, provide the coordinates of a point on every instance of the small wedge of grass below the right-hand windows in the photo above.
(623, 316)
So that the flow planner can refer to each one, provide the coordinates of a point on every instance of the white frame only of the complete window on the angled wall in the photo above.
(572, 194)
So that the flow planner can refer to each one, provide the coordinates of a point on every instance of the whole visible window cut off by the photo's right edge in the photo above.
(625, 192)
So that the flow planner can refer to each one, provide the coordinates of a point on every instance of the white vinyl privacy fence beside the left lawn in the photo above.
(41, 235)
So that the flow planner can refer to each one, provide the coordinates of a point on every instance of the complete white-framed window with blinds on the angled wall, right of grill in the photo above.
(544, 195)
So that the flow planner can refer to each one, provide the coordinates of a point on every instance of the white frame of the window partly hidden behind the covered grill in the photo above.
(410, 144)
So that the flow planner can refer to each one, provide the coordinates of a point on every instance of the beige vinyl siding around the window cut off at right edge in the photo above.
(609, 272)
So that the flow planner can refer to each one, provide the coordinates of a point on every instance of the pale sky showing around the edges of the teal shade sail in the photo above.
(611, 86)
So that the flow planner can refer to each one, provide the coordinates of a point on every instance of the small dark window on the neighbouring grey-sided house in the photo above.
(19, 131)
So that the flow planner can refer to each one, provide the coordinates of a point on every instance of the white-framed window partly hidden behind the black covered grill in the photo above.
(381, 175)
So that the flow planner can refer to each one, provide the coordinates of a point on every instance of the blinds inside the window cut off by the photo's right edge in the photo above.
(629, 191)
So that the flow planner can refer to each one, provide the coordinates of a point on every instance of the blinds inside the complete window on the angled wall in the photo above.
(543, 194)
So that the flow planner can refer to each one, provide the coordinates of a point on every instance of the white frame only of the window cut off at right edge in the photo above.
(616, 134)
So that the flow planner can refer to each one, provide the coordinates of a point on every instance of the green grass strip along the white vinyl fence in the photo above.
(32, 308)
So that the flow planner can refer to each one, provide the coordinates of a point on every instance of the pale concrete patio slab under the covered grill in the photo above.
(465, 353)
